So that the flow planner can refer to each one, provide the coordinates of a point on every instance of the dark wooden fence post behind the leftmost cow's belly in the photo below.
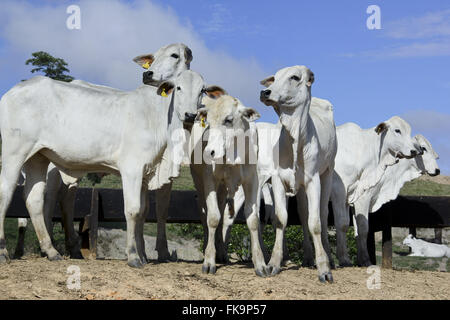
(89, 229)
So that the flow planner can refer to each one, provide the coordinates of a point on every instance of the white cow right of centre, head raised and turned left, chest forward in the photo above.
(307, 145)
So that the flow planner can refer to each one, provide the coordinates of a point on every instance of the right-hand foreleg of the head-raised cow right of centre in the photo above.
(313, 192)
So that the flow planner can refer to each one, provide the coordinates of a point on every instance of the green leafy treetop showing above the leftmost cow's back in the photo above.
(52, 67)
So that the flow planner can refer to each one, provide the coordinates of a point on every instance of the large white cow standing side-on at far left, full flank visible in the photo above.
(82, 130)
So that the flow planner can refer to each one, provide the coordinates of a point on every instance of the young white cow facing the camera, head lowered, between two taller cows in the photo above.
(231, 169)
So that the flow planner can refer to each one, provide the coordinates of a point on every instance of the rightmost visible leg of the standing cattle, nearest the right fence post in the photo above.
(362, 221)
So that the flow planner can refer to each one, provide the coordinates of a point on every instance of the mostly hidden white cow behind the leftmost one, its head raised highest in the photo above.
(167, 63)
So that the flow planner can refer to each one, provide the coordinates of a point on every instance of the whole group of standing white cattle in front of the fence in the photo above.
(55, 132)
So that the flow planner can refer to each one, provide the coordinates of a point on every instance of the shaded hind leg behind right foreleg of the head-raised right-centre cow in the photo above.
(326, 180)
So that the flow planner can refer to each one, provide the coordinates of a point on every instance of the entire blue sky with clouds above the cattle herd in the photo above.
(368, 75)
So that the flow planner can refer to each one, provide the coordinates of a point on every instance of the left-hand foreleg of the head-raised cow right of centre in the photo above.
(280, 224)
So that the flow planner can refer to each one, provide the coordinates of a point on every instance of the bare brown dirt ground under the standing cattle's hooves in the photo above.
(38, 278)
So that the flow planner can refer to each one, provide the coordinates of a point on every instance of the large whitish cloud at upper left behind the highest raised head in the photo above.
(113, 32)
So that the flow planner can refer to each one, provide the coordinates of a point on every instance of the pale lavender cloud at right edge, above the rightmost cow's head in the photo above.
(435, 126)
